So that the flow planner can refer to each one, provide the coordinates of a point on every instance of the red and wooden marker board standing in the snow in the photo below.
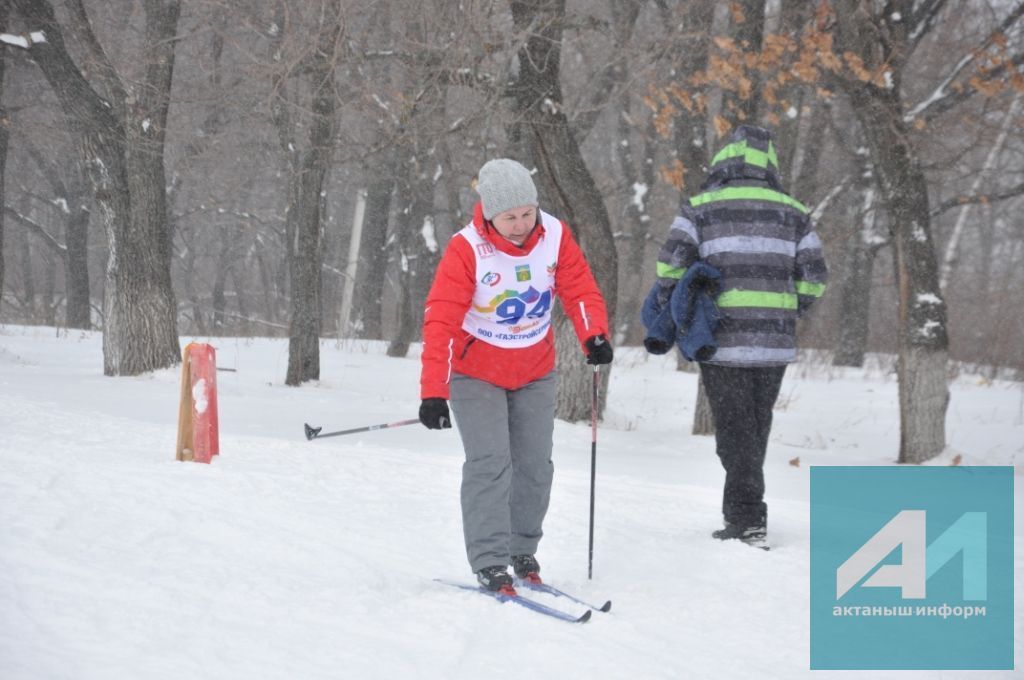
(198, 431)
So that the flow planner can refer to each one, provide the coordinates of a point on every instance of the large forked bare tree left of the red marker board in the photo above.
(121, 136)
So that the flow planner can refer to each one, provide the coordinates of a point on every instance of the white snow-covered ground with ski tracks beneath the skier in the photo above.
(294, 560)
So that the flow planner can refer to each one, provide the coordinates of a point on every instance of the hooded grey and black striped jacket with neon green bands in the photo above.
(762, 241)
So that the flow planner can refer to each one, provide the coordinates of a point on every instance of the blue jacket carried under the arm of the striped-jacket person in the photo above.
(689, 319)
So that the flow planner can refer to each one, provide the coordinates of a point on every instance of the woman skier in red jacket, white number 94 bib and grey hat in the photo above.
(489, 349)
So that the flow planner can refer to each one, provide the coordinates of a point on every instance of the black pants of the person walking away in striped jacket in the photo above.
(742, 401)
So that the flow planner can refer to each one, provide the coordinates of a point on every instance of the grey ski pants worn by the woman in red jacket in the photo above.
(506, 480)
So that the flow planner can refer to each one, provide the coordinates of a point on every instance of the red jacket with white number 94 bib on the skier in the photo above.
(489, 313)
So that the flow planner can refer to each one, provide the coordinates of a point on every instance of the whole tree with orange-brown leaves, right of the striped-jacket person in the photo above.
(864, 51)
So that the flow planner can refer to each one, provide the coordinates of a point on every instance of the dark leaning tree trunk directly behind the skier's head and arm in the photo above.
(567, 189)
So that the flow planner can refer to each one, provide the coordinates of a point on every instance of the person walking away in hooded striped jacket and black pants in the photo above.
(748, 228)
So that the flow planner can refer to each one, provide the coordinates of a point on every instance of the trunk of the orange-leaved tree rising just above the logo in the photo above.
(924, 342)
